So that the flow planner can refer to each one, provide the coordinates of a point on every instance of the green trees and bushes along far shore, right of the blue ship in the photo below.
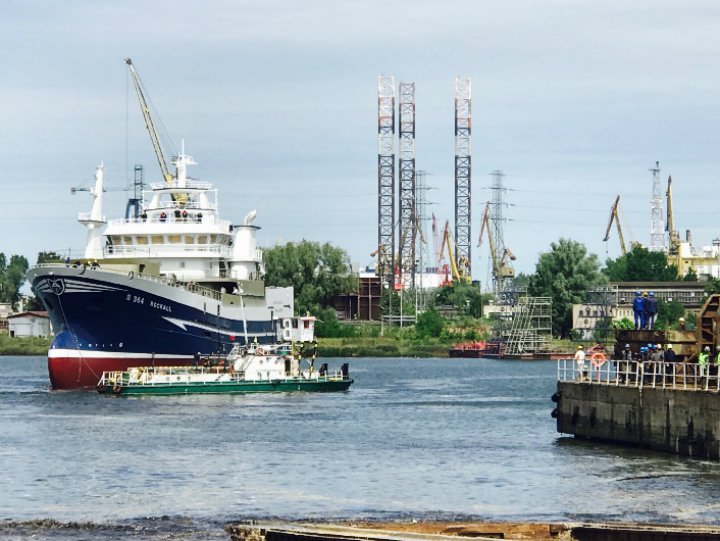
(564, 273)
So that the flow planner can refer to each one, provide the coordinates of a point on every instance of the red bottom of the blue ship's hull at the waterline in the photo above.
(78, 373)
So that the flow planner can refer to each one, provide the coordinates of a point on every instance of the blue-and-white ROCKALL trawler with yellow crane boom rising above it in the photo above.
(162, 286)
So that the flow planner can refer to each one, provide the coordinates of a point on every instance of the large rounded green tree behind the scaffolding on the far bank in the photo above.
(564, 274)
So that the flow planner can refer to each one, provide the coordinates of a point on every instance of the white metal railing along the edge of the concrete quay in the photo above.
(642, 374)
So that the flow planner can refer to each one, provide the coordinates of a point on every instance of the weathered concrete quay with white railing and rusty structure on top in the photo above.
(672, 407)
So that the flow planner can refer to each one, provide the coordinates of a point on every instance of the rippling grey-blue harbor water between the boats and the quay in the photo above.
(412, 439)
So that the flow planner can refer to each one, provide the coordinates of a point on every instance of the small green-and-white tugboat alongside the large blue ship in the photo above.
(247, 369)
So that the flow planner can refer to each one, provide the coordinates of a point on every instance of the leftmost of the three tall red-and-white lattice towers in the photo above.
(386, 178)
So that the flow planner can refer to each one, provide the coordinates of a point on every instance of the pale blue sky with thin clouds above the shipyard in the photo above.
(277, 102)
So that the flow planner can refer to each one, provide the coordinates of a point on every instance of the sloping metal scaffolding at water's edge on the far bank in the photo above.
(531, 326)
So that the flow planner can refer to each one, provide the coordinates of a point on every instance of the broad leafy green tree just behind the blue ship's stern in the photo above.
(316, 271)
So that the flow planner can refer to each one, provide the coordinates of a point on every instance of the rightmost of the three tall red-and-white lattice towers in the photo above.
(462, 175)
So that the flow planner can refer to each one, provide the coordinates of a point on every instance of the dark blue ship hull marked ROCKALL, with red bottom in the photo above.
(105, 324)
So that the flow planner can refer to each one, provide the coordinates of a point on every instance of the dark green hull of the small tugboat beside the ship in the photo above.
(234, 387)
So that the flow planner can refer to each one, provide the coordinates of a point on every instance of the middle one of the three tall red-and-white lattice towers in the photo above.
(407, 225)
